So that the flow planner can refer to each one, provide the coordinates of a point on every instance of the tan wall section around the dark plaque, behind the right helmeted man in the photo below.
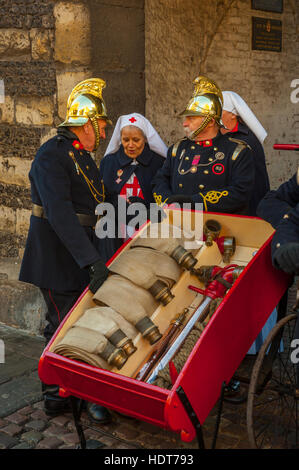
(186, 39)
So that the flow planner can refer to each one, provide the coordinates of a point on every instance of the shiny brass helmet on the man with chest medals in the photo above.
(206, 101)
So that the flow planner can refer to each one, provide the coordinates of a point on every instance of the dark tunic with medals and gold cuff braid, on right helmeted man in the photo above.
(219, 173)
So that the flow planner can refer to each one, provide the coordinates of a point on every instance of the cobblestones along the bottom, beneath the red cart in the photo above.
(31, 428)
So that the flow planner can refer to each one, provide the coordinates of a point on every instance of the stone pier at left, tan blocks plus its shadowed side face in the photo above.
(46, 48)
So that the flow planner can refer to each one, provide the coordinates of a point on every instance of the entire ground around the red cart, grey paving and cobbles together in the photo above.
(24, 425)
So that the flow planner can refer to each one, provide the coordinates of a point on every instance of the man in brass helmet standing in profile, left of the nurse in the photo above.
(61, 255)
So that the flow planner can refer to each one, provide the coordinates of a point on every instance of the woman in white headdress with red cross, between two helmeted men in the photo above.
(133, 156)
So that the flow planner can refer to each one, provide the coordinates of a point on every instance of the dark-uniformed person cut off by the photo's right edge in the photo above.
(281, 209)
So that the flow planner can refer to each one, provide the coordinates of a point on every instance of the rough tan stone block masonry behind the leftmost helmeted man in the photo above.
(40, 62)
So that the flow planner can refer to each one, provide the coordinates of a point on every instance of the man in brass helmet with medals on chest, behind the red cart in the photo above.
(206, 167)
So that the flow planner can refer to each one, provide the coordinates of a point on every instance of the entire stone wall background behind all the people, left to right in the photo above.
(148, 52)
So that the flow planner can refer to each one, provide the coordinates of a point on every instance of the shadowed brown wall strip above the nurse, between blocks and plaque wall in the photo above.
(118, 56)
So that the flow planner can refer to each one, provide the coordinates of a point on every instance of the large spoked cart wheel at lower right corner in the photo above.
(273, 405)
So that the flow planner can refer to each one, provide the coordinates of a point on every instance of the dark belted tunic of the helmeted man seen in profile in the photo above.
(58, 247)
